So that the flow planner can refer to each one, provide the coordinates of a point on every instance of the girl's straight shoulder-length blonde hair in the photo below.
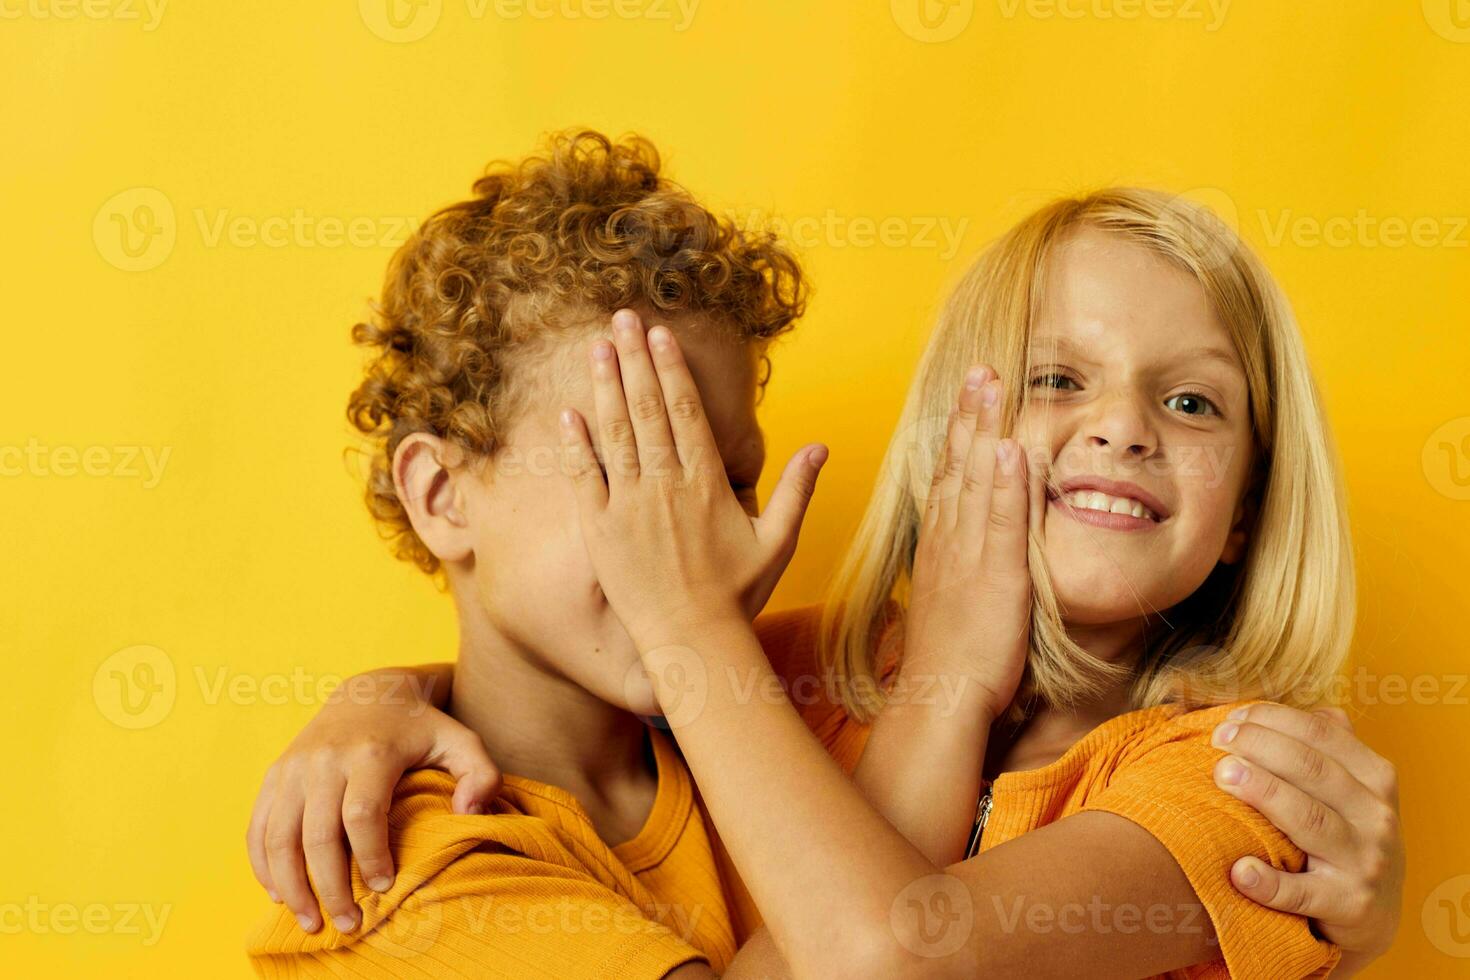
(1277, 625)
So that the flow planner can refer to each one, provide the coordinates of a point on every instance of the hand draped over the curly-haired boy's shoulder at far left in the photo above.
(336, 781)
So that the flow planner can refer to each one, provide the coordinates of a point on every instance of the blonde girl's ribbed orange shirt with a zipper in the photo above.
(1155, 768)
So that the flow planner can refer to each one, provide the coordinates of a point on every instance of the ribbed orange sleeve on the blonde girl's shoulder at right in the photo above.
(1166, 785)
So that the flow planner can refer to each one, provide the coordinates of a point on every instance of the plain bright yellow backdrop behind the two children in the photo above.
(251, 561)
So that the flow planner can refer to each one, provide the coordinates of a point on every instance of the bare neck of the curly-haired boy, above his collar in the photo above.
(539, 724)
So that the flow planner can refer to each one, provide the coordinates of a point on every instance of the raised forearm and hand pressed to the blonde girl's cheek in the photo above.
(967, 625)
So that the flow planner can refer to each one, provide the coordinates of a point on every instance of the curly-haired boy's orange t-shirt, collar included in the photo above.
(527, 891)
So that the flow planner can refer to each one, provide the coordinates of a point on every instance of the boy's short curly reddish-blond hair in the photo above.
(545, 245)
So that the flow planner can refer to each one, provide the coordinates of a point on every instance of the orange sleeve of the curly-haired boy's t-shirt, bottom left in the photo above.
(493, 915)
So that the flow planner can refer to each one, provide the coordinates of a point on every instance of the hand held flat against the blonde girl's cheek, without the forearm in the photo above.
(969, 610)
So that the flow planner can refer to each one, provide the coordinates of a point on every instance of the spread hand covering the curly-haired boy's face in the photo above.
(668, 538)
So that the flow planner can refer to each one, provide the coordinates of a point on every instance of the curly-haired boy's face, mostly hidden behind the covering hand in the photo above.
(533, 577)
